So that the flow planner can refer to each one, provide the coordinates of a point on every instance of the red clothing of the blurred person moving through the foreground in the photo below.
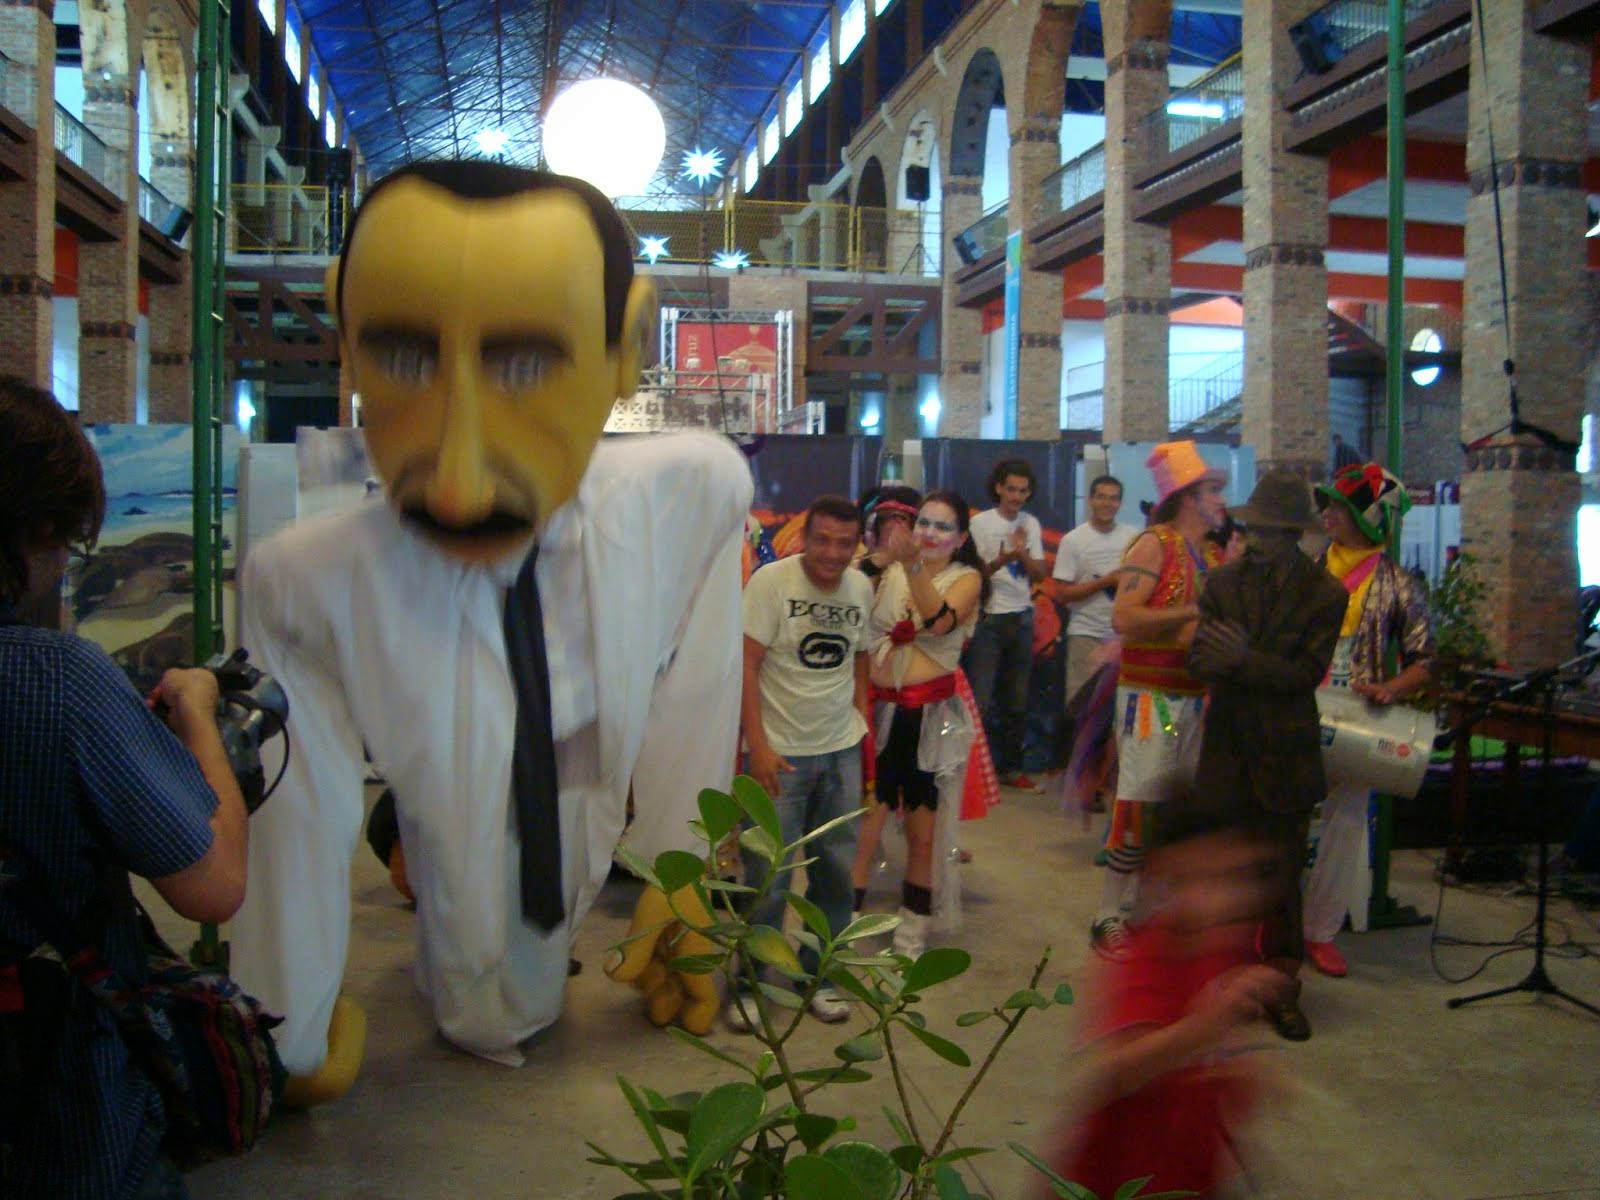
(1177, 1126)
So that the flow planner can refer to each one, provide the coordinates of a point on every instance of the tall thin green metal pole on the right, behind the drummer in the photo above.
(1382, 908)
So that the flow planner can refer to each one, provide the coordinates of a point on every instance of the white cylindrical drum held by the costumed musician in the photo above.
(1385, 748)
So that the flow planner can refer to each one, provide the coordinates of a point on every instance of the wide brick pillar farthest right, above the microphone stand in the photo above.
(1519, 500)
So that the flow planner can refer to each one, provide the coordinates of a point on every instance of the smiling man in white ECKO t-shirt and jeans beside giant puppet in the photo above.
(804, 716)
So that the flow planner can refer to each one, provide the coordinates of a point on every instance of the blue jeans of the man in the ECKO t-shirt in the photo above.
(822, 788)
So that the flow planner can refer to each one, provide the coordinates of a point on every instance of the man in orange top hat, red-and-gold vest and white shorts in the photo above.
(1159, 703)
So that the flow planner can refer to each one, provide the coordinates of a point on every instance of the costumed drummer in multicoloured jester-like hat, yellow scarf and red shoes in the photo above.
(1386, 612)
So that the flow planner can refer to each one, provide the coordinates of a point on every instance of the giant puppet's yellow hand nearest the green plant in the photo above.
(657, 938)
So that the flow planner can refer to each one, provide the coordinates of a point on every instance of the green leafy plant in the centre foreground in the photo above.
(764, 1135)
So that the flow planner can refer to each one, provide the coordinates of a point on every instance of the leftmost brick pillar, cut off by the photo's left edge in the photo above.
(28, 209)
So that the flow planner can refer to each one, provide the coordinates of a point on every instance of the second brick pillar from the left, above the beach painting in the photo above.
(110, 271)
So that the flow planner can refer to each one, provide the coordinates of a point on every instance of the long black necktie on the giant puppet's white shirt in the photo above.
(534, 782)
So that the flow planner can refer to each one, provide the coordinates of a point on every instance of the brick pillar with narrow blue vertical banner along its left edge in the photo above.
(1036, 154)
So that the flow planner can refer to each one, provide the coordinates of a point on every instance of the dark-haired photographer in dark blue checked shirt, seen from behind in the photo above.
(94, 786)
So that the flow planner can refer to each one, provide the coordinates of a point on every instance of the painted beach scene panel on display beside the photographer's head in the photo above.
(135, 594)
